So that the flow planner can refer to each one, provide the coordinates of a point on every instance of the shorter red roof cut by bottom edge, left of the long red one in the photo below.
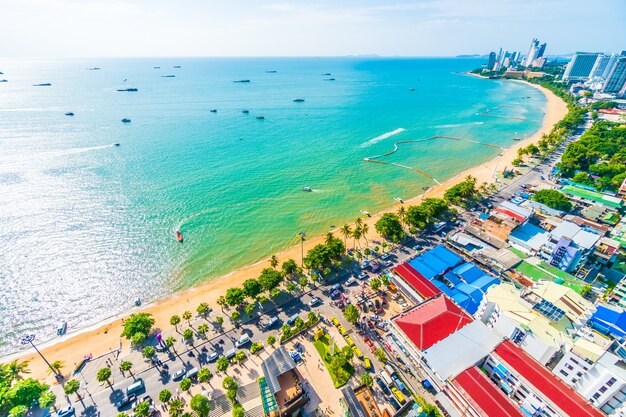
(483, 395)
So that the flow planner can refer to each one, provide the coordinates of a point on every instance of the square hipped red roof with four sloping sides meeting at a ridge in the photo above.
(432, 321)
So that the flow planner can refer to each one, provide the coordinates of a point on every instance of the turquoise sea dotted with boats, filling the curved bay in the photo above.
(85, 227)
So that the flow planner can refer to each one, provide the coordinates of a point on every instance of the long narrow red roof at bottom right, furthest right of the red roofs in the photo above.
(556, 391)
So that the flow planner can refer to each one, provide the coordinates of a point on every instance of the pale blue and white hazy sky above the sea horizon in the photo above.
(136, 28)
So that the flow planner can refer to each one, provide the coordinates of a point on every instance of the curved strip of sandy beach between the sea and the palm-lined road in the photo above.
(105, 335)
